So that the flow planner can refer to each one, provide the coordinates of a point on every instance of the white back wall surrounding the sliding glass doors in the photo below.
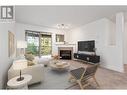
(20, 33)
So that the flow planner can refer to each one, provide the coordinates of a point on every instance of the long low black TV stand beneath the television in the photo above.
(87, 57)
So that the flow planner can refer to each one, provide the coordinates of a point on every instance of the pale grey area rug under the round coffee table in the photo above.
(53, 80)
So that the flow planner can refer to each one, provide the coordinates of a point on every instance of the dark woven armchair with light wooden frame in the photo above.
(82, 75)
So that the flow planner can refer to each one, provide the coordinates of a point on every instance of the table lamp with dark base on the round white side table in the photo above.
(20, 65)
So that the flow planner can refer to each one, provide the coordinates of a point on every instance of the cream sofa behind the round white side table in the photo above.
(36, 71)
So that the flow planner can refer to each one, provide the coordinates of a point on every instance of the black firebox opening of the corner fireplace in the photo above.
(65, 54)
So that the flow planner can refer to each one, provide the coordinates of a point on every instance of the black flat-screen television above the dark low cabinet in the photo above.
(86, 46)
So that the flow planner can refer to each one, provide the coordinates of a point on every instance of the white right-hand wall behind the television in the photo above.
(102, 31)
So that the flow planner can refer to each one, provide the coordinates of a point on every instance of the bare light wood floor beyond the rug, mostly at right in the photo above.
(107, 79)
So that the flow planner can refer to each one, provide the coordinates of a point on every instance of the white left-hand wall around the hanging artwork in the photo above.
(5, 61)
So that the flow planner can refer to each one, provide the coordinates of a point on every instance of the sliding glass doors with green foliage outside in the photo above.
(39, 43)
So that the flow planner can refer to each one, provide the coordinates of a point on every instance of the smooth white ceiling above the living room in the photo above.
(50, 16)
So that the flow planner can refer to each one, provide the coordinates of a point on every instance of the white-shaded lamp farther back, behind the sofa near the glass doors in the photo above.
(21, 45)
